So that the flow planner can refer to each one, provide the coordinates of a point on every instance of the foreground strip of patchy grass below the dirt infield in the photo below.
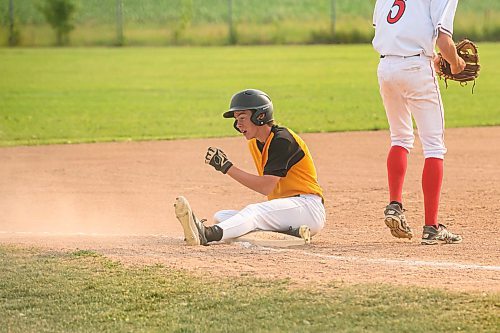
(82, 291)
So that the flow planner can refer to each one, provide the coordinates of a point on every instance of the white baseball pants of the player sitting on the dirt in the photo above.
(273, 215)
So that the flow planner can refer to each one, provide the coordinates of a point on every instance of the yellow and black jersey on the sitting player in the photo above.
(285, 154)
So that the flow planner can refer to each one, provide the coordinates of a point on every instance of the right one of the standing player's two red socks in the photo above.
(432, 179)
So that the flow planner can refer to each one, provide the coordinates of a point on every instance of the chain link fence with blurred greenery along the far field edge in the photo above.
(220, 22)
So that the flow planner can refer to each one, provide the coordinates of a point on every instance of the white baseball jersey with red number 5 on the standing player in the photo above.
(410, 27)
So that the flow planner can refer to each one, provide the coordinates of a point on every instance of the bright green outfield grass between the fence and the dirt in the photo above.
(101, 94)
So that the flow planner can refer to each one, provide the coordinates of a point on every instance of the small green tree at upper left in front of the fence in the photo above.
(59, 14)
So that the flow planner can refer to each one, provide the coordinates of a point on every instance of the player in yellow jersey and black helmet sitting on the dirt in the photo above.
(285, 174)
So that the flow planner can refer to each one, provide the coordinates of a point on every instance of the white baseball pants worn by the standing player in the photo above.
(408, 86)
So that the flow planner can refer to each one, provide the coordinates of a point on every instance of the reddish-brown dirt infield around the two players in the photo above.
(117, 199)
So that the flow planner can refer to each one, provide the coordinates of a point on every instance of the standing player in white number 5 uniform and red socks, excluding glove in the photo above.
(406, 34)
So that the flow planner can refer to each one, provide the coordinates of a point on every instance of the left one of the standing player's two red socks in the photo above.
(397, 161)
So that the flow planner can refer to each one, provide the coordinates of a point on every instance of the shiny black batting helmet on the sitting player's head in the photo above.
(255, 100)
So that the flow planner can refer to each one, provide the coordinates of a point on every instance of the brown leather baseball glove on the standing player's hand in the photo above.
(466, 50)
